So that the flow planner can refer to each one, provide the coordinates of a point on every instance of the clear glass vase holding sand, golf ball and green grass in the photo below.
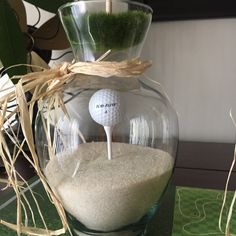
(114, 196)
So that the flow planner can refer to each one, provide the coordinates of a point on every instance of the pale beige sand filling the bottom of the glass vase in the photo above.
(108, 194)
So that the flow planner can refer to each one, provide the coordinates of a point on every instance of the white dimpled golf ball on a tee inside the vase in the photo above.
(105, 107)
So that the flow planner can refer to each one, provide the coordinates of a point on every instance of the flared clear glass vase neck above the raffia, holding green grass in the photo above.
(92, 32)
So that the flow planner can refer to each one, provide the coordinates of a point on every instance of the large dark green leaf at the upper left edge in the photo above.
(12, 43)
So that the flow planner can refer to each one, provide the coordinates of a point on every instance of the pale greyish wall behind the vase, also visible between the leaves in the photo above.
(195, 61)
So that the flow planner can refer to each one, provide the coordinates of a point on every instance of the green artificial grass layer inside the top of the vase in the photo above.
(101, 31)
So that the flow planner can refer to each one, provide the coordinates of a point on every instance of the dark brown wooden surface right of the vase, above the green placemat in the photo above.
(204, 165)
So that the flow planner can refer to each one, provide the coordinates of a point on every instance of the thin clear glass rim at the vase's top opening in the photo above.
(147, 7)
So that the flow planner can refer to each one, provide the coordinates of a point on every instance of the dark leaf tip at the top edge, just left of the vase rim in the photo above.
(49, 5)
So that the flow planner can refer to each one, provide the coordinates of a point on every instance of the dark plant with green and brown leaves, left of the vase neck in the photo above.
(18, 40)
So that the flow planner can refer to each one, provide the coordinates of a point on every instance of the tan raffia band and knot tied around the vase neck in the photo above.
(50, 80)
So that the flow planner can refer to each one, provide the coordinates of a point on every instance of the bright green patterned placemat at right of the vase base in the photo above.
(197, 212)
